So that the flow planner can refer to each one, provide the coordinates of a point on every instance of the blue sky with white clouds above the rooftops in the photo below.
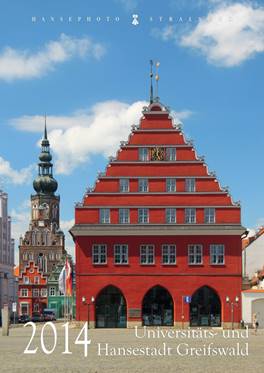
(91, 78)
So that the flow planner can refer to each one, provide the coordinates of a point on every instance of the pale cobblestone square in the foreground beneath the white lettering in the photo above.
(141, 354)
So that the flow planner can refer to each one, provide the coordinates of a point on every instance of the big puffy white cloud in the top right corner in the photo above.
(228, 35)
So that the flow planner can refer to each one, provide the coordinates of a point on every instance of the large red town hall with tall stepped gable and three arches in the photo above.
(158, 241)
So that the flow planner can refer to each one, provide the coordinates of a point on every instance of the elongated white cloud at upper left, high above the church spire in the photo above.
(25, 64)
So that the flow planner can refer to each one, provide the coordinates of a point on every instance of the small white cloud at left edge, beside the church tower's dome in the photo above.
(10, 175)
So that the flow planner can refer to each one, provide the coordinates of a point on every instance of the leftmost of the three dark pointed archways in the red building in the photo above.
(110, 308)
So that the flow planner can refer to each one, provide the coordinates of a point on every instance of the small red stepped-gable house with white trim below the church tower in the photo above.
(32, 295)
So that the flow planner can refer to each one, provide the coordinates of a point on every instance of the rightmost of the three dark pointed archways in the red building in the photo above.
(205, 308)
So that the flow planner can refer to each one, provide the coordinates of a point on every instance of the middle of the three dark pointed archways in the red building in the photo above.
(157, 307)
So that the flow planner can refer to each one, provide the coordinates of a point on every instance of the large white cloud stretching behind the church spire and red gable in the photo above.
(98, 130)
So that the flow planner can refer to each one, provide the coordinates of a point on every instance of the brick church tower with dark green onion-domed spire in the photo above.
(43, 243)
